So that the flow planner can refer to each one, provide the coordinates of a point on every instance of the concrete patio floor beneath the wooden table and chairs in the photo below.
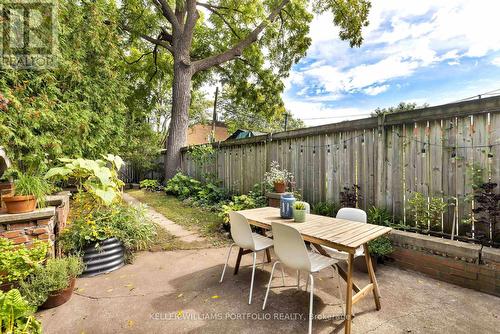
(179, 292)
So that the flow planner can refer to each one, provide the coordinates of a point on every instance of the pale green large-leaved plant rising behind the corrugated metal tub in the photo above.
(94, 176)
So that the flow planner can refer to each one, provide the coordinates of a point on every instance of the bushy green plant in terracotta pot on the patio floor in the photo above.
(52, 285)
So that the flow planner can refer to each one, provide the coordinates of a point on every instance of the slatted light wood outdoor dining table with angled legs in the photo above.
(341, 234)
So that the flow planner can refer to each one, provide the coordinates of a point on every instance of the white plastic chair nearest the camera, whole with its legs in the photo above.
(291, 251)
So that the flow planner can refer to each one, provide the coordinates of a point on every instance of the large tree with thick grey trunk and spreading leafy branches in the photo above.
(205, 35)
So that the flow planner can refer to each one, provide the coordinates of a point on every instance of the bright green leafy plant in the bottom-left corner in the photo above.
(16, 315)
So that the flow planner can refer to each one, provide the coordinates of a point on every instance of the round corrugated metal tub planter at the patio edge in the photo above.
(108, 256)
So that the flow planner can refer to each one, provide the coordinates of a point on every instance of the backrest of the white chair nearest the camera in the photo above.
(290, 247)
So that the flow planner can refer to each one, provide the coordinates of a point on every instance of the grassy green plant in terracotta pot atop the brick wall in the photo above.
(28, 191)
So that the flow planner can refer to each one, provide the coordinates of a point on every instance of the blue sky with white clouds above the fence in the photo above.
(419, 51)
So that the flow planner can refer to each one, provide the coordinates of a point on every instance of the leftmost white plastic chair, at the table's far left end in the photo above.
(244, 238)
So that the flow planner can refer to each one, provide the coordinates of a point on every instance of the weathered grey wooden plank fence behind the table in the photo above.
(426, 150)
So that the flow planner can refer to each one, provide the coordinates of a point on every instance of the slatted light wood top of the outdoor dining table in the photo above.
(336, 233)
